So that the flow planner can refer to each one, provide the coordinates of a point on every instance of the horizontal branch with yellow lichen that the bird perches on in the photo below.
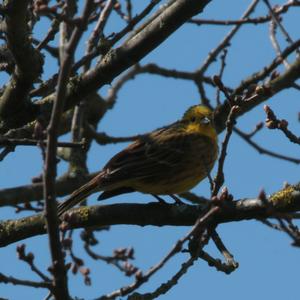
(156, 214)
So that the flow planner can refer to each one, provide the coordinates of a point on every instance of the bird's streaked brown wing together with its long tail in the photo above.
(142, 159)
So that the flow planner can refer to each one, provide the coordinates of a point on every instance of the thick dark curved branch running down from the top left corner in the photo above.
(14, 101)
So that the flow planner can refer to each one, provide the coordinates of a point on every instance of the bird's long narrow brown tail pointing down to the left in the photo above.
(79, 195)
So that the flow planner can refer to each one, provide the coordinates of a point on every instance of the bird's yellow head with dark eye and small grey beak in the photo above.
(199, 119)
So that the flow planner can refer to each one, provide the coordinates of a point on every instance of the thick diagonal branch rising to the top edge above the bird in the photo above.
(133, 50)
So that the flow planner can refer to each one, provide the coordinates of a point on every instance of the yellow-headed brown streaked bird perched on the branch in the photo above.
(167, 161)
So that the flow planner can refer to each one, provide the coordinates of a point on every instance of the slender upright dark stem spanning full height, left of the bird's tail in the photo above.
(59, 271)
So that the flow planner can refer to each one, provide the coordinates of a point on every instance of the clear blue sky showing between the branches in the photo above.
(267, 260)
